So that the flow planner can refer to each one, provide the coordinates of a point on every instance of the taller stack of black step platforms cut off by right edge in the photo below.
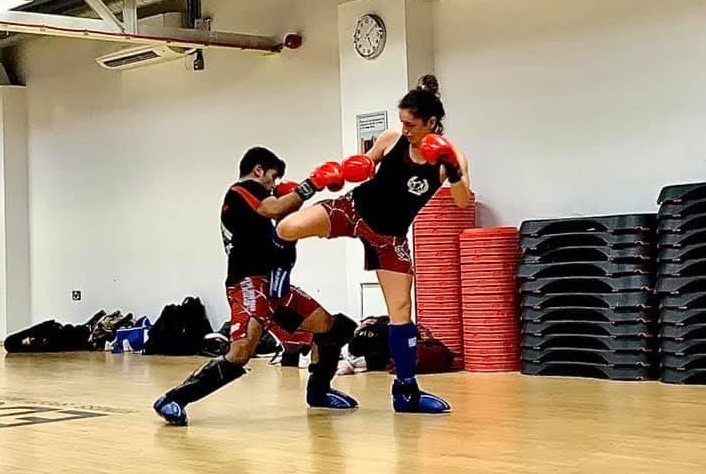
(681, 283)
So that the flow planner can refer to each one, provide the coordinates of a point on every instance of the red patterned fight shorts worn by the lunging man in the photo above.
(248, 299)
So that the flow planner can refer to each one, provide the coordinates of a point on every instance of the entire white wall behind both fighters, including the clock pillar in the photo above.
(566, 107)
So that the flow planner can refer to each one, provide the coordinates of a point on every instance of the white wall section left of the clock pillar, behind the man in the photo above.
(128, 170)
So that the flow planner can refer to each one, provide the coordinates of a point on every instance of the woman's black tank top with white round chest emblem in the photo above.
(389, 201)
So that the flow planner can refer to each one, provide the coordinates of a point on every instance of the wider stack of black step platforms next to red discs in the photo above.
(587, 297)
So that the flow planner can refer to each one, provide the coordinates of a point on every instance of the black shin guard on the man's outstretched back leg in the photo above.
(205, 380)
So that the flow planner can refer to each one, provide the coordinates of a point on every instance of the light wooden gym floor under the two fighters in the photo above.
(91, 413)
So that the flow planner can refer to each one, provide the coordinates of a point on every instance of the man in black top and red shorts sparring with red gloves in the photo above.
(258, 289)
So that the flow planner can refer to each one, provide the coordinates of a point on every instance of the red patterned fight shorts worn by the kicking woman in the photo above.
(382, 252)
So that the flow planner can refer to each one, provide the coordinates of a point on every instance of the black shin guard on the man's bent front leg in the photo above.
(328, 349)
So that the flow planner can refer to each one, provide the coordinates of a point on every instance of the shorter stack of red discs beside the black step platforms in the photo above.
(490, 316)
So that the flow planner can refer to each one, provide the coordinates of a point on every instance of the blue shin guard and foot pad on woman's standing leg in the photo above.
(406, 396)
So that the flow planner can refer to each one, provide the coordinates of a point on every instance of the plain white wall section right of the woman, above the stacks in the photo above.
(574, 107)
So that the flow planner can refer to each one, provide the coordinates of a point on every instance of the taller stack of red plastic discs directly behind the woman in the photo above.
(437, 269)
